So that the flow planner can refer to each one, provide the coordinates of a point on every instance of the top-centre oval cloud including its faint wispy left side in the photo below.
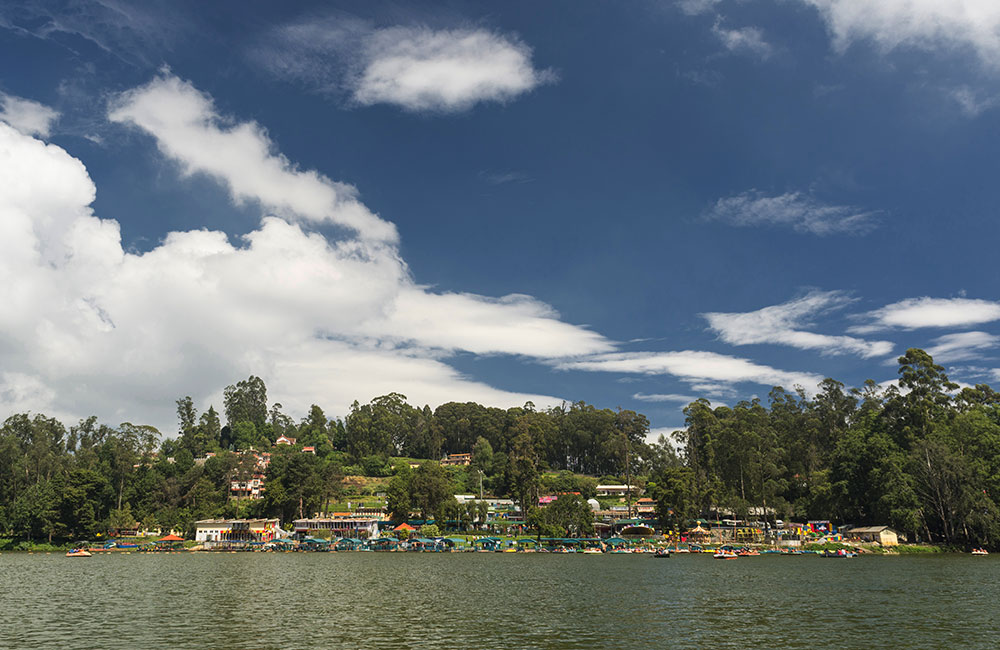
(415, 68)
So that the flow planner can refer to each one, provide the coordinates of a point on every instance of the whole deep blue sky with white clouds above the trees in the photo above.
(629, 204)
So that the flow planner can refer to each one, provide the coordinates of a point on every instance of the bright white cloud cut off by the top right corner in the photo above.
(972, 25)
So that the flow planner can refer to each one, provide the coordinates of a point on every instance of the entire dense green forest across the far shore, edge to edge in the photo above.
(923, 456)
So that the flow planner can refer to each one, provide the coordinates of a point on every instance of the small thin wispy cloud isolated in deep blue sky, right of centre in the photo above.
(800, 211)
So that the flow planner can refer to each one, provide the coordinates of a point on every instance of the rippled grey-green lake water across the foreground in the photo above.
(479, 600)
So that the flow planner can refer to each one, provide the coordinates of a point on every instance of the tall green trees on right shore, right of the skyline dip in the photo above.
(920, 455)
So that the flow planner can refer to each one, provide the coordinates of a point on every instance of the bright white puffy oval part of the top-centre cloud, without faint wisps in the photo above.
(451, 70)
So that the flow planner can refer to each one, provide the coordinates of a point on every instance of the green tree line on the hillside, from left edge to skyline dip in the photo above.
(89, 479)
